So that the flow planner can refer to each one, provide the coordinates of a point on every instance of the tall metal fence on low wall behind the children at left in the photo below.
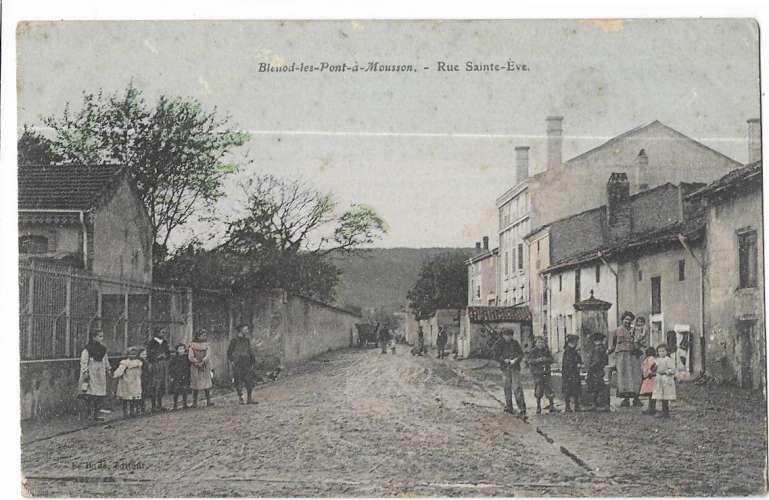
(60, 306)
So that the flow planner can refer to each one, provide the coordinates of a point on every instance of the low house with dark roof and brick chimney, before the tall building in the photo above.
(638, 252)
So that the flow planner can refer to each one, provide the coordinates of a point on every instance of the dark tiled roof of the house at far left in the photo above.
(69, 187)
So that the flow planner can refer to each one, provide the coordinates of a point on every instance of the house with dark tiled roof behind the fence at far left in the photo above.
(86, 216)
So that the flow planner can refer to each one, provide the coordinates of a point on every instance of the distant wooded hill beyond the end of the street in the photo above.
(381, 277)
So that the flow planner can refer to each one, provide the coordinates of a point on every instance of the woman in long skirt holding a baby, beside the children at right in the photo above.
(627, 359)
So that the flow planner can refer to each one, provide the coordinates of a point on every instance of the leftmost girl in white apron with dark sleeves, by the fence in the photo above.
(94, 370)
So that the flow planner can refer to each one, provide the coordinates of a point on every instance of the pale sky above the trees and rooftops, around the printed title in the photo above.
(429, 150)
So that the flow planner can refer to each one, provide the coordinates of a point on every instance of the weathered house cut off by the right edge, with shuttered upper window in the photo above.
(733, 314)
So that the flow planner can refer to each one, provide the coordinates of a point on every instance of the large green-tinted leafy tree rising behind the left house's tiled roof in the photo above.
(176, 151)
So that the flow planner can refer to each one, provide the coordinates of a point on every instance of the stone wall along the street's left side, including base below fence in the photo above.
(286, 331)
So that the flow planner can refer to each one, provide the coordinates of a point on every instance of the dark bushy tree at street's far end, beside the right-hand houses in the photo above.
(442, 283)
